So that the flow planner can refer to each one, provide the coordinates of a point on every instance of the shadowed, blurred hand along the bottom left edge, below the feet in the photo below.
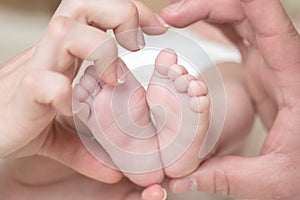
(50, 177)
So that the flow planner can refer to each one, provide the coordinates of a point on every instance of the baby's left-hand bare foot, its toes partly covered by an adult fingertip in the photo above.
(119, 119)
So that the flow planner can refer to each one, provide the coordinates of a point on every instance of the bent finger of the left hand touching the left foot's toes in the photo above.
(67, 39)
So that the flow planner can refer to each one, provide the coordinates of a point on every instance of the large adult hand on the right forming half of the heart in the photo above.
(270, 47)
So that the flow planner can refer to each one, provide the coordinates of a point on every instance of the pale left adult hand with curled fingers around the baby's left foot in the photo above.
(36, 85)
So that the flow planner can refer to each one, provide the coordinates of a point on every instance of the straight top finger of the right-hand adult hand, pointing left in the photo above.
(183, 13)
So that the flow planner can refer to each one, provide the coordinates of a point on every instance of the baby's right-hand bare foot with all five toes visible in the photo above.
(180, 107)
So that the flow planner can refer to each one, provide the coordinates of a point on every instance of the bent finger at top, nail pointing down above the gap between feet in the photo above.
(120, 15)
